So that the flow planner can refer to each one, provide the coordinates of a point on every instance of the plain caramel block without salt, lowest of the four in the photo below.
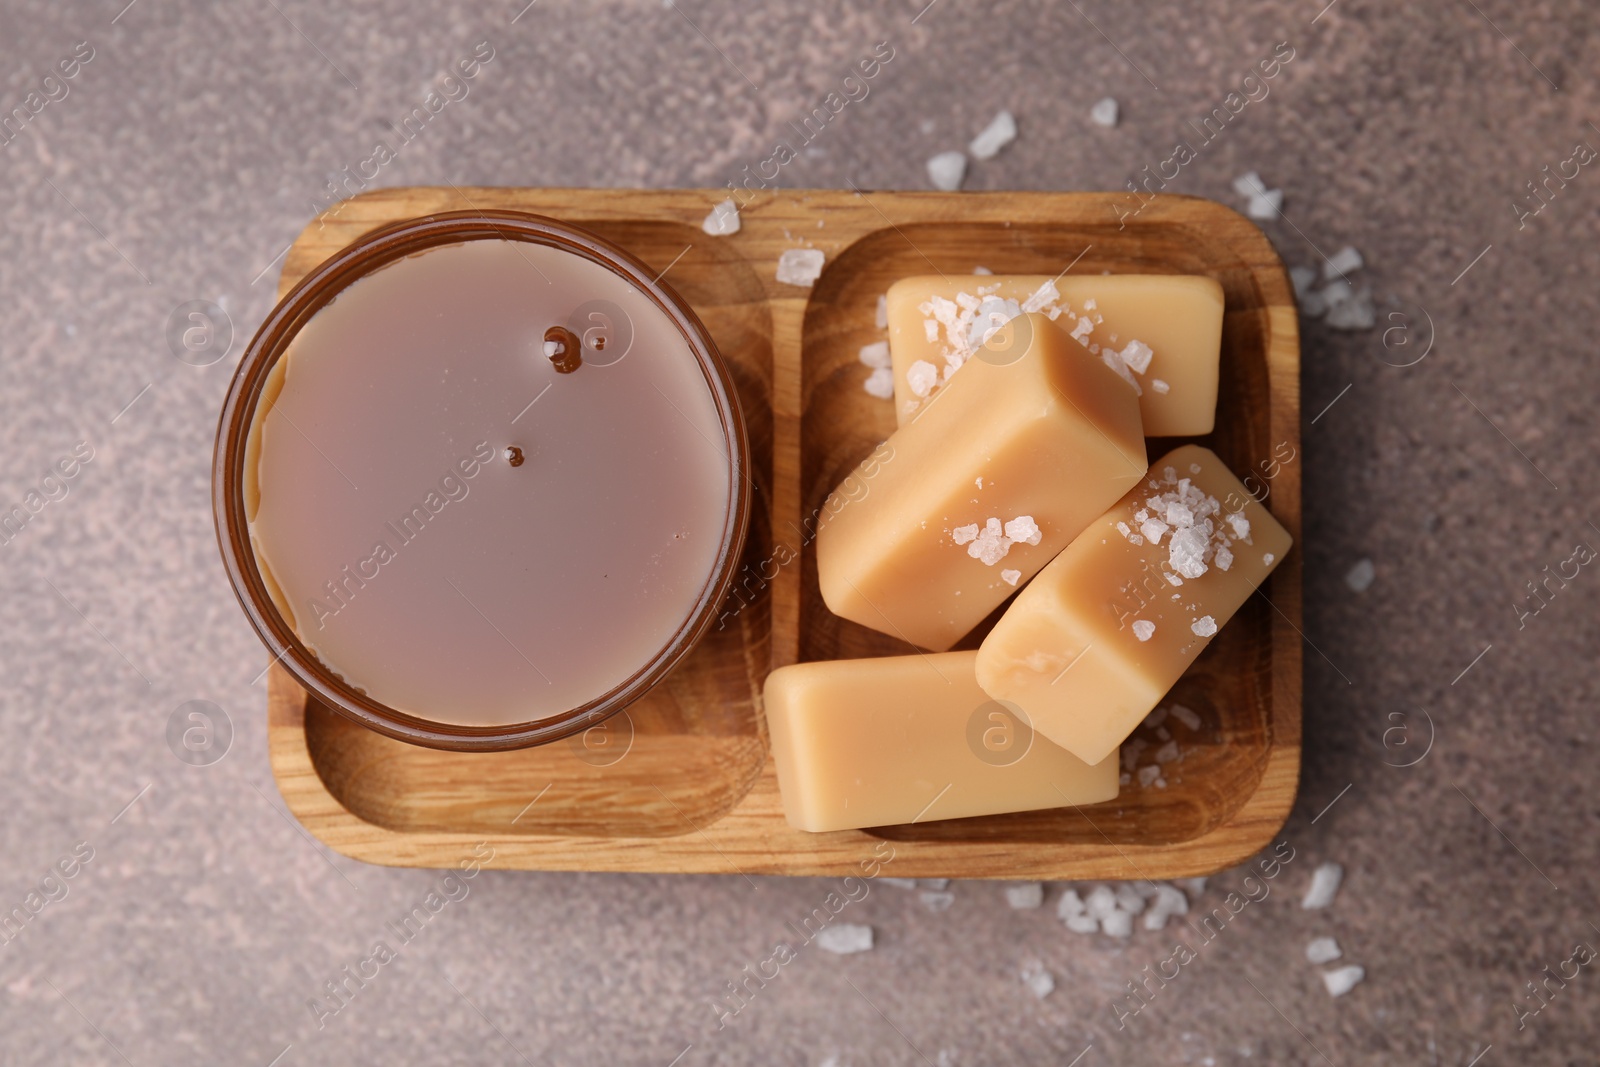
(865, 743)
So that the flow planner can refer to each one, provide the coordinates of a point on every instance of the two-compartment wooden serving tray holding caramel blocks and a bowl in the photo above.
(695, 788)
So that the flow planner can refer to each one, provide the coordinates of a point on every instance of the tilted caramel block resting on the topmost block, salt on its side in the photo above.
(986, 486)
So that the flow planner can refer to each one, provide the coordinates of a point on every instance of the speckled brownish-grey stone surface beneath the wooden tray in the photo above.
(196, 143)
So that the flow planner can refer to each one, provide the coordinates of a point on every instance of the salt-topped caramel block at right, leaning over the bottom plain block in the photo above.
(1100, 637)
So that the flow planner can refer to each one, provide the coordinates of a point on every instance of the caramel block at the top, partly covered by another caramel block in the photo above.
(1166, 330)
